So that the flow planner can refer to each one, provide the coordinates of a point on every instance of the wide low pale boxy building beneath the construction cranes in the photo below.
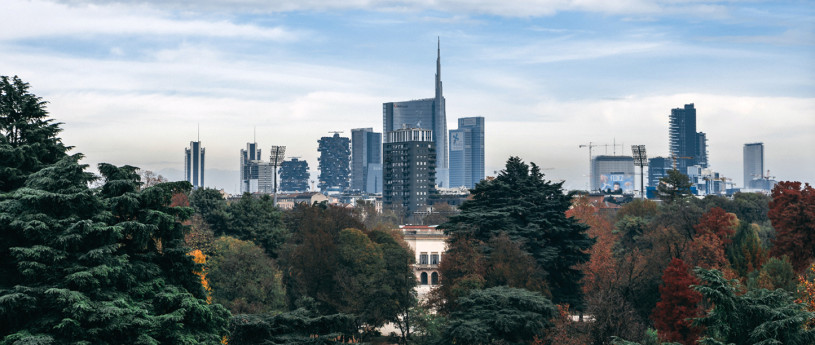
(613, 174)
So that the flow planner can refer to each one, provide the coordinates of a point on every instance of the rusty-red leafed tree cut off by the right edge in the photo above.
(792, 213)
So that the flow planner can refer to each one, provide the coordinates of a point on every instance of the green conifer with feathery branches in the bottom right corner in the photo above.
(759, 316)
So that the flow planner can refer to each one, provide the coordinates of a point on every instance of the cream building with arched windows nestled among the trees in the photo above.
(429, 244)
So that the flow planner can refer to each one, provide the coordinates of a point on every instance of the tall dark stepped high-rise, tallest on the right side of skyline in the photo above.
(688, 146)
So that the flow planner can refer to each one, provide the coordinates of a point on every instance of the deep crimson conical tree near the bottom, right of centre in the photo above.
(678, 305)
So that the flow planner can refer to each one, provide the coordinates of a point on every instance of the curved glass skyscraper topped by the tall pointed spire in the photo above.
(428, 113)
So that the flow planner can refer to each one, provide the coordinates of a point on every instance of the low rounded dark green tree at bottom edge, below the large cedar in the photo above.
(499, 315)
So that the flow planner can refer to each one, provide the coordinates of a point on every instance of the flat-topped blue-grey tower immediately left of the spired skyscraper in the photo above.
(366, 156)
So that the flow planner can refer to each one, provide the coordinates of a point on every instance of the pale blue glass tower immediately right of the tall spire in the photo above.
(467, 152)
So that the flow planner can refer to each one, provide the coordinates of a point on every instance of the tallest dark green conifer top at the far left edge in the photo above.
(28, 139)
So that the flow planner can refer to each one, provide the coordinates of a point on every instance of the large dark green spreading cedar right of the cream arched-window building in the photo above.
(532, 212)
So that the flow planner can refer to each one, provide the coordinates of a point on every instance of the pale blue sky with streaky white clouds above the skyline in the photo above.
(132, 81)
